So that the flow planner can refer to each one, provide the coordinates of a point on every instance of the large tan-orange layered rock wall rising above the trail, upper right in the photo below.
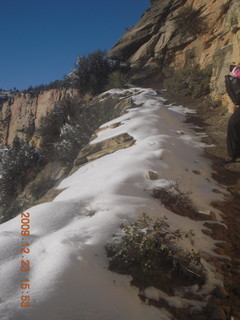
(159, 40)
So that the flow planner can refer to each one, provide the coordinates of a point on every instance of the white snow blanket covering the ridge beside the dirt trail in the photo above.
(69, 273)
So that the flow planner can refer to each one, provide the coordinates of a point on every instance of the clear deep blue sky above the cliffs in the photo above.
(41, 39)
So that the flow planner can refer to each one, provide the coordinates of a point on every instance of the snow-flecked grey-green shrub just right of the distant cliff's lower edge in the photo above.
(65, 130)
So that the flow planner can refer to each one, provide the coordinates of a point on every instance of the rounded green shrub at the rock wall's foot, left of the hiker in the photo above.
(189, 80)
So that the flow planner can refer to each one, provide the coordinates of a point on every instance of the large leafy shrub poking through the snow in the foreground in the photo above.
(148, 251)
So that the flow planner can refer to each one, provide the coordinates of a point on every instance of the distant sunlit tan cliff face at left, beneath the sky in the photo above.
(24, 112)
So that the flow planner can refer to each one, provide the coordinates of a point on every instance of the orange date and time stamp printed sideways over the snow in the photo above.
(25, 262)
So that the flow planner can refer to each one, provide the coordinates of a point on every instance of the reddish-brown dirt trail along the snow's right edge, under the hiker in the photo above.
(225, 303)
